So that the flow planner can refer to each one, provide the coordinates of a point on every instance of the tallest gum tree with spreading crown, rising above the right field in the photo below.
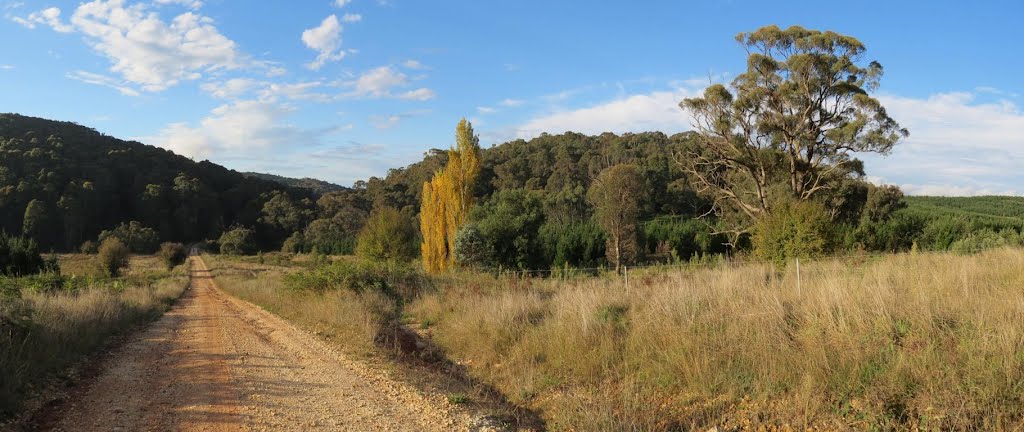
(789, 126)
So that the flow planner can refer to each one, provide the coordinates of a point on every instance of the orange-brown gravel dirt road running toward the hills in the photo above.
(219, 364)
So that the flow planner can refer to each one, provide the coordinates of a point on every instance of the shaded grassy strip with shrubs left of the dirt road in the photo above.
(49, 324)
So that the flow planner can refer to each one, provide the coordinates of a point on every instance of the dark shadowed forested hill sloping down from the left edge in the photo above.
(64, 184)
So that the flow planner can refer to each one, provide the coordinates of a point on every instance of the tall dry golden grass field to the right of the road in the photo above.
(929, 341)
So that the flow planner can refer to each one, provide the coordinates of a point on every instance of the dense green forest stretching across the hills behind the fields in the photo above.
(64, 186)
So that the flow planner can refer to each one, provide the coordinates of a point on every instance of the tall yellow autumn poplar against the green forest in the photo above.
(448, 199)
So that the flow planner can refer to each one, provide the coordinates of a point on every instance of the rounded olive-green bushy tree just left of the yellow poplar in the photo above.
(389, 236)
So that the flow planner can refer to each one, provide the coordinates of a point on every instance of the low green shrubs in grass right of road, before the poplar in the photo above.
(396, 280)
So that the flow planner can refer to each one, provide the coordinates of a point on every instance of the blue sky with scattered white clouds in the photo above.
(343, 91)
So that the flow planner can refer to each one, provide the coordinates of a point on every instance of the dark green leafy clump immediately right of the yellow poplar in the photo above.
(509, 224)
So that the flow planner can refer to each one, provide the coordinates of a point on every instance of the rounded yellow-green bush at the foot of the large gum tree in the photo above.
(794, 230)
